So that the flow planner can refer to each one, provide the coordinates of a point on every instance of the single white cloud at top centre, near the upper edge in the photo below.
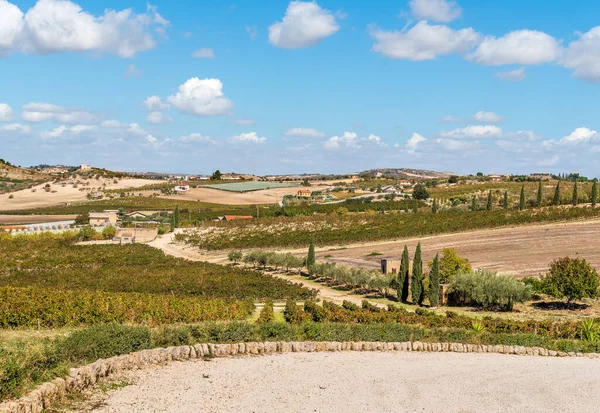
(304, 24)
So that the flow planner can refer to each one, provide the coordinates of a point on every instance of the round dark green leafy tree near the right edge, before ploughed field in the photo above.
(571, 278)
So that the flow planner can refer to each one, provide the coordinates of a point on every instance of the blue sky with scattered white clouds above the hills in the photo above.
(290, 87)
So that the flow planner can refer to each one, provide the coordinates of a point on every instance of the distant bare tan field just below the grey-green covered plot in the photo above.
(265, 196)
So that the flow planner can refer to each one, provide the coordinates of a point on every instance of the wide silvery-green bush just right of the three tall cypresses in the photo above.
(488, 290)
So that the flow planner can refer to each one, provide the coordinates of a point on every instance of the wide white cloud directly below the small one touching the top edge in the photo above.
(423, 41)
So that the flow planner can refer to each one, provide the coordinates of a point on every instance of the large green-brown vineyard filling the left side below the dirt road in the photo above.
(49, 280)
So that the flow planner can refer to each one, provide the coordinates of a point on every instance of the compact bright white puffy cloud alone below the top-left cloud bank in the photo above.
(201, 98)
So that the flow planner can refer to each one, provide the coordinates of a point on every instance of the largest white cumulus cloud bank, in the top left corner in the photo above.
(53, 26)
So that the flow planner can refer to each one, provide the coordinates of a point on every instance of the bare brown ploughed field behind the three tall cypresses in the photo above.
(520, 251)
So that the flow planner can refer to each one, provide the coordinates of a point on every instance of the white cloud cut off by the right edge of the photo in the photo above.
(583, 55)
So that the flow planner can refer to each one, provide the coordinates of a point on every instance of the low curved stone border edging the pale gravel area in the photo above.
(83, 377)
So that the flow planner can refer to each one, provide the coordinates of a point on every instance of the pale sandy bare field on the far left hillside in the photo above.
(59, 194)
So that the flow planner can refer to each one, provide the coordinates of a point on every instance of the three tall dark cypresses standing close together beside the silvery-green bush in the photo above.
(413, 284)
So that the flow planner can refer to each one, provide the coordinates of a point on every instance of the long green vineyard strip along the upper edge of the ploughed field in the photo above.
(283, 232)
